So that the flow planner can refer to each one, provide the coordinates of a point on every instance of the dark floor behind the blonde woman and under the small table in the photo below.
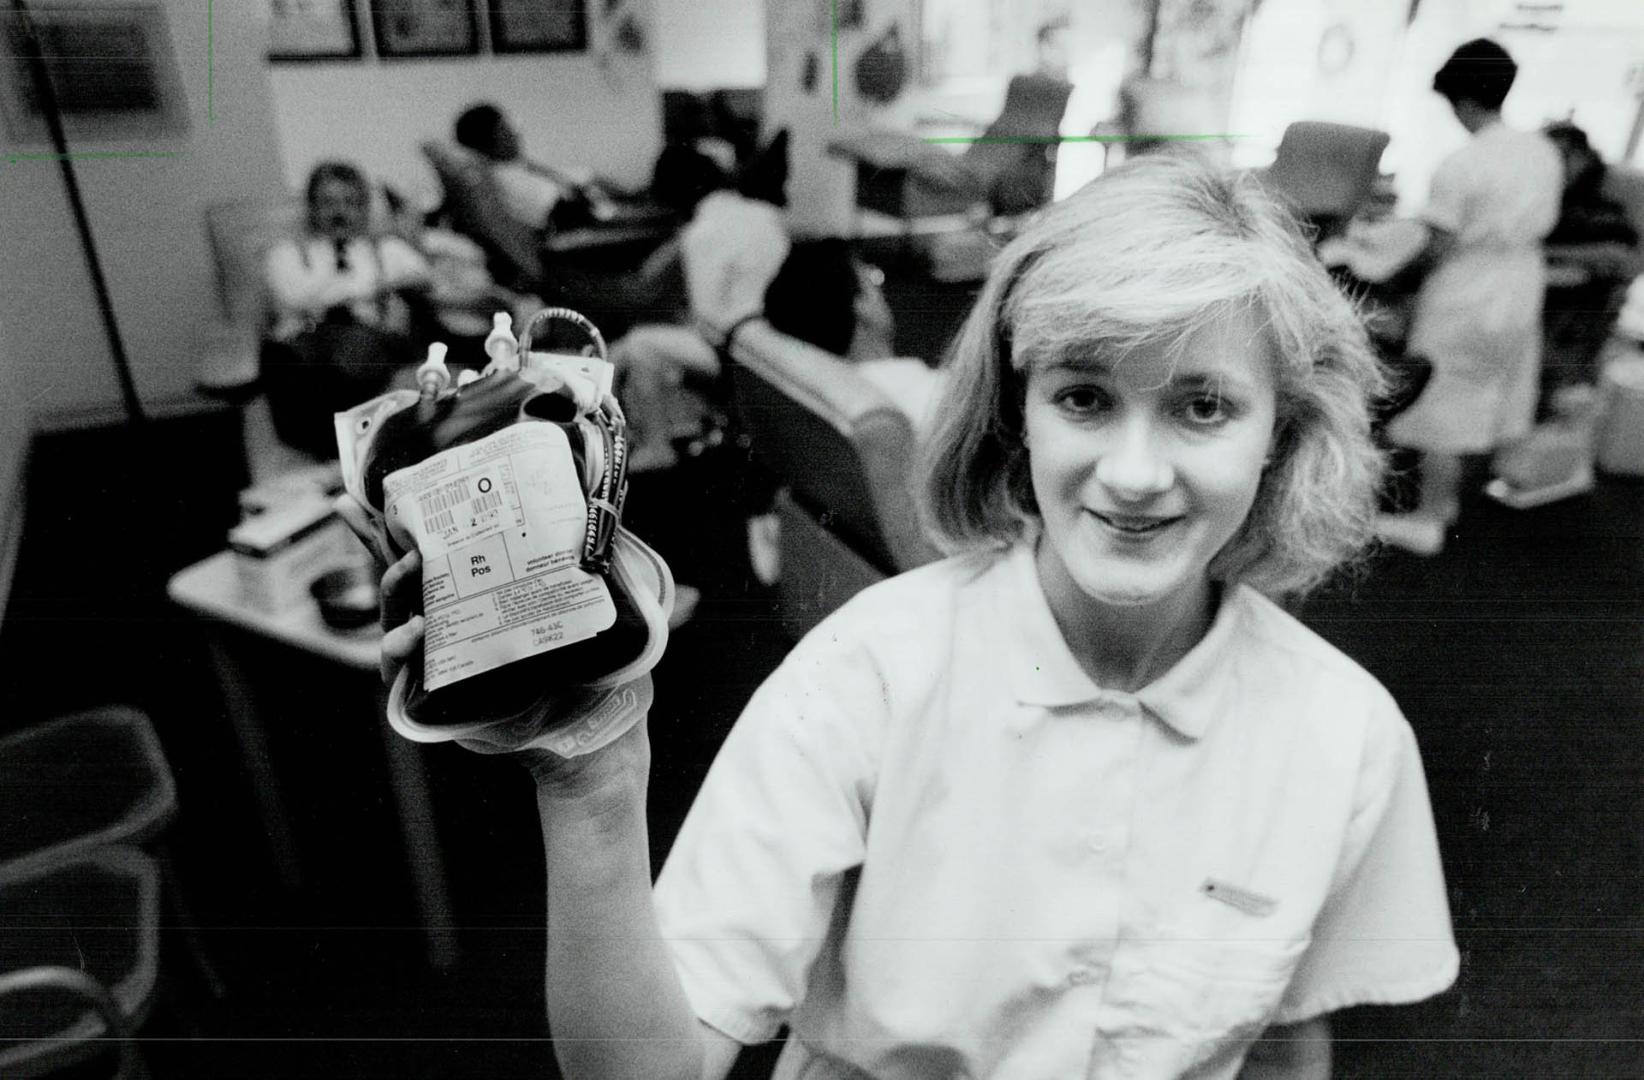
(1518, 657)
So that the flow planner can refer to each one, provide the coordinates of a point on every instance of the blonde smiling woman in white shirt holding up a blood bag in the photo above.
(1083, 800)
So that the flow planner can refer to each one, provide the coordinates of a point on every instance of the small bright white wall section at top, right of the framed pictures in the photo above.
(704, 45)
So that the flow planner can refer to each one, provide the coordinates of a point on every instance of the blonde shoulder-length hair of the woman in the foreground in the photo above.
(1152, 252)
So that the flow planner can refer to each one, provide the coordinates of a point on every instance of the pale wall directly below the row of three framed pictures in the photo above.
(376, 113)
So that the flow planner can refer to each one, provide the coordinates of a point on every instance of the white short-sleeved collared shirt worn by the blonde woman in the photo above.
(936, 849)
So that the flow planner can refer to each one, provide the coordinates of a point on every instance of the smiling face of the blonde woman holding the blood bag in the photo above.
(1147, 464)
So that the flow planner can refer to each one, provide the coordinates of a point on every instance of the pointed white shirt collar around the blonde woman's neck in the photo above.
(1043, 670)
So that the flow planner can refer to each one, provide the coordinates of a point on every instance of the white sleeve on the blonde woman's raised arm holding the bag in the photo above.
(749, 892)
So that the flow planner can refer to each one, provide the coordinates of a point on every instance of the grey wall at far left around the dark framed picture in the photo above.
(149, 221)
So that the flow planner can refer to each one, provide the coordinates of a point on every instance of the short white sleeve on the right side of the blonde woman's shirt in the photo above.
(1383, 936)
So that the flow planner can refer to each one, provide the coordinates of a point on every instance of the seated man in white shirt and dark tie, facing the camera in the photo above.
(349, 308)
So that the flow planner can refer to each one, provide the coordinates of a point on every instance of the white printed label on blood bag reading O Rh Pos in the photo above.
(501, 525)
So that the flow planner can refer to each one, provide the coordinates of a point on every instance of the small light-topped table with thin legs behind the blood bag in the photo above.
(210, 589)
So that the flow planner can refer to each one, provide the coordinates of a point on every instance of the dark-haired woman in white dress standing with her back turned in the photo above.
(1479, 316)
